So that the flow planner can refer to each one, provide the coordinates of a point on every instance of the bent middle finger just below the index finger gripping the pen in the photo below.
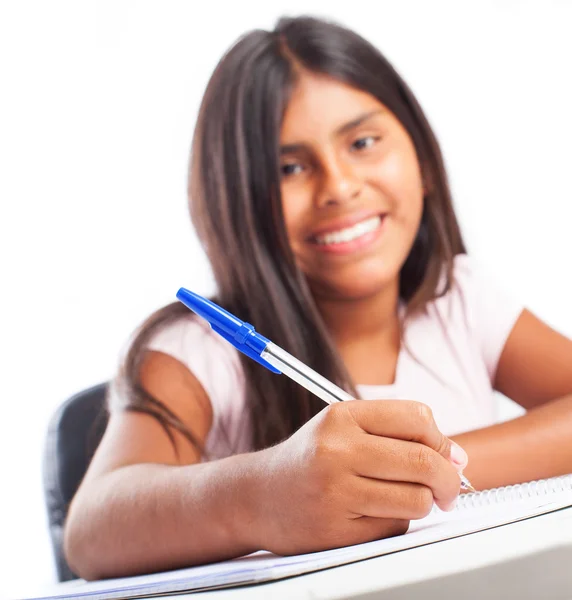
(390, 459)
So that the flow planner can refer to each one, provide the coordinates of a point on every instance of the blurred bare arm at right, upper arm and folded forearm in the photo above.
(535, 370)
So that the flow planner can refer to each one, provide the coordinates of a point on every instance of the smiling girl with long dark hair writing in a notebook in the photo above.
(318, 190)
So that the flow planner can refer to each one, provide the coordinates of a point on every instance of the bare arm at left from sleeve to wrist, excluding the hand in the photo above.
(142, 506)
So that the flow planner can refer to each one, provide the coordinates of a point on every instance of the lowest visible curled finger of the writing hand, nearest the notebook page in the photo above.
(390, 499)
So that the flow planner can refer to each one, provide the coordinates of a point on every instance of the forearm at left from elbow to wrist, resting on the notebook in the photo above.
(150, 517)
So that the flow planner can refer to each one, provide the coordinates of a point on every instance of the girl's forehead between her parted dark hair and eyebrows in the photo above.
(319, 105)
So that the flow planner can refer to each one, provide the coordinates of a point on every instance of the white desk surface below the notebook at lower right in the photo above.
(527, 560)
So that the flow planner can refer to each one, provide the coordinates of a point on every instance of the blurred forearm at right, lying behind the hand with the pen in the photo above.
(534, 446)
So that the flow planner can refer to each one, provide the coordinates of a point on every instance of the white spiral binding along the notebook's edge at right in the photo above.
(513, 493)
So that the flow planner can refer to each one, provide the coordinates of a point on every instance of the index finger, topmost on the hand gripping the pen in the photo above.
(405, 420)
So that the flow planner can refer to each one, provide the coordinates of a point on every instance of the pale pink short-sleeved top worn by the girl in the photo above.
(448, 361)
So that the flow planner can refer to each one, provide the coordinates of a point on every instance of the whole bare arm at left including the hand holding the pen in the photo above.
(357, 471)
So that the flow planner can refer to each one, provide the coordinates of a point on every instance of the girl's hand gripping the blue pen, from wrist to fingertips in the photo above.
(356, 472)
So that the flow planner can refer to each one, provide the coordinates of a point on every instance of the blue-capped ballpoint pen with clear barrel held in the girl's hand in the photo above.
(244, 338)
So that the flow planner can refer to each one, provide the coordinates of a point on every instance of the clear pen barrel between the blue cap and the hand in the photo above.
(302, 374)
